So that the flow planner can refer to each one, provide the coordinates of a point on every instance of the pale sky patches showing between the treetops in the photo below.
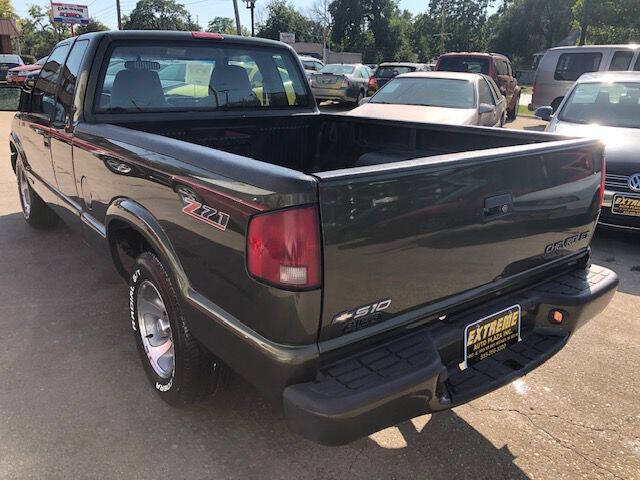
(202, 10)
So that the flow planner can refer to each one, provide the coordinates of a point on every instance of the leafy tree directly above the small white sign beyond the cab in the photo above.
(281, 16)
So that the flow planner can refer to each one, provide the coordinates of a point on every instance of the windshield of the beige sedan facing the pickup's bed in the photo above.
(434, 92)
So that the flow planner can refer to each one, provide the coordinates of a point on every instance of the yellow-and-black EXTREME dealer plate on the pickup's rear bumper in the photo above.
(491, 335)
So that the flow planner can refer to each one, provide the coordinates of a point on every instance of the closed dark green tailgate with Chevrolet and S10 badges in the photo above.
(400, 237)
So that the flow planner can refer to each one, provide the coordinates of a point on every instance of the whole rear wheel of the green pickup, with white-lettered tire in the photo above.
(186, 372)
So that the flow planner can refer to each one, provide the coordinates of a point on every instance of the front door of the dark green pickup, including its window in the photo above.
(37, 143)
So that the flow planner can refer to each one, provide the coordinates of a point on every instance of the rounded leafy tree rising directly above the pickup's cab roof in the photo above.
(159, 15)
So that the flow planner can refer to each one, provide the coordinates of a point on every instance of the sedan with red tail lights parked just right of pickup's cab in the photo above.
(341, 82)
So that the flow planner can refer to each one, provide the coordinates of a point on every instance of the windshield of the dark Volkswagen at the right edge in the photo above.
(611, 104)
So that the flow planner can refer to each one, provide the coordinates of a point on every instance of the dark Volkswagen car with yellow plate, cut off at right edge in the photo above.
(606, 105)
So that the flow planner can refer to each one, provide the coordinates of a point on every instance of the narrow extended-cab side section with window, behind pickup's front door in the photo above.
(62, 125)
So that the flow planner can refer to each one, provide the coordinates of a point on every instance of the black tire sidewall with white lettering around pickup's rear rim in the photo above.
(148, 267)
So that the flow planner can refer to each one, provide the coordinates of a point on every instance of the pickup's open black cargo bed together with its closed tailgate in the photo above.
(425, 217)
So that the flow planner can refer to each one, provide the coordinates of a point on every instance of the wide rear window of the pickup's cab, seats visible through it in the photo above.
(154, 78)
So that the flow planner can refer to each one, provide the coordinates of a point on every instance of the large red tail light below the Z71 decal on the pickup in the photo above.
(283, 248)
